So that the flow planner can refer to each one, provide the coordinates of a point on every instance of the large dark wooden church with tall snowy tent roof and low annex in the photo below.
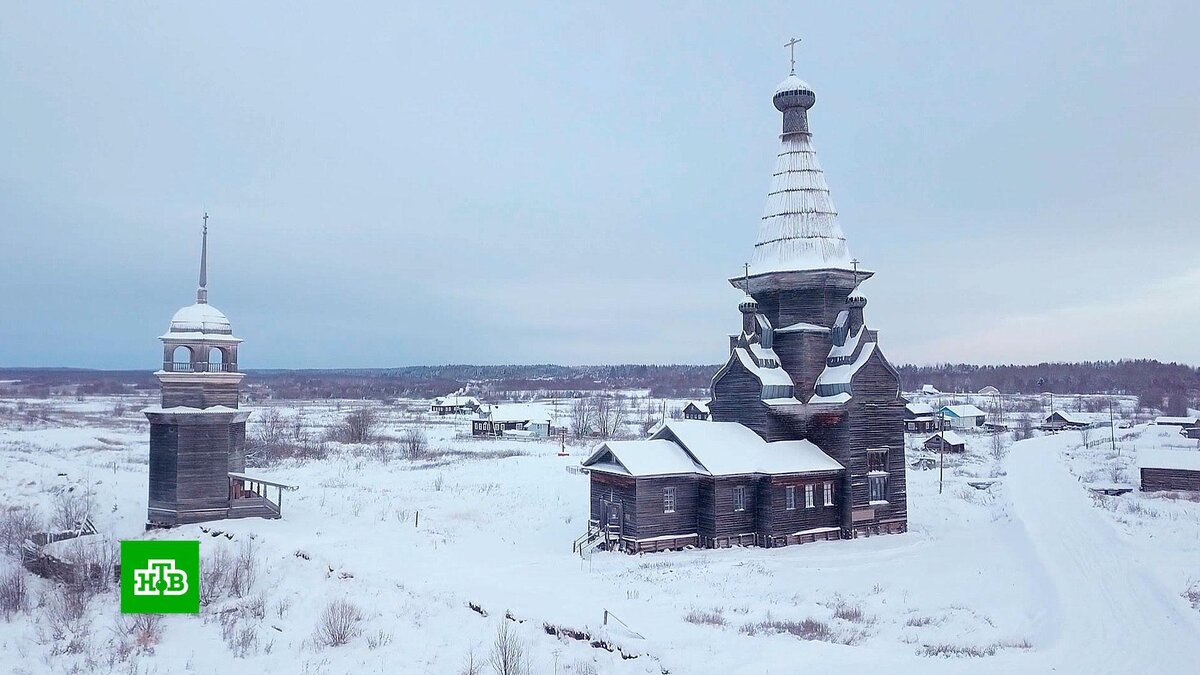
(806, 439)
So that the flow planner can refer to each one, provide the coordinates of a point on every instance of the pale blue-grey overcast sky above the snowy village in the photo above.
(395, 184)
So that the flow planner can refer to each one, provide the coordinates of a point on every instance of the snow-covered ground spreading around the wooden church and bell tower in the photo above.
(435, 554)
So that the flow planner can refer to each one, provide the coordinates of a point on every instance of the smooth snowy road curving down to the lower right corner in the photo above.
(1105, 613)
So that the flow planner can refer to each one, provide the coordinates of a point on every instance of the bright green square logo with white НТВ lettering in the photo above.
(160, 577)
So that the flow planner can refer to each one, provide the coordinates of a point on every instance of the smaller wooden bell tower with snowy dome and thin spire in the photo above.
(199, 433)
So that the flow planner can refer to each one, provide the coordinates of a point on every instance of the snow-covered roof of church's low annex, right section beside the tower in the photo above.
(728, 449)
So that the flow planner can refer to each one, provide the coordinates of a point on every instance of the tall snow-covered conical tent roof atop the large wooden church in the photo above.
(800, 225)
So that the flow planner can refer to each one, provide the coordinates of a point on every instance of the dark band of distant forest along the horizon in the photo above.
(1163, 386)
